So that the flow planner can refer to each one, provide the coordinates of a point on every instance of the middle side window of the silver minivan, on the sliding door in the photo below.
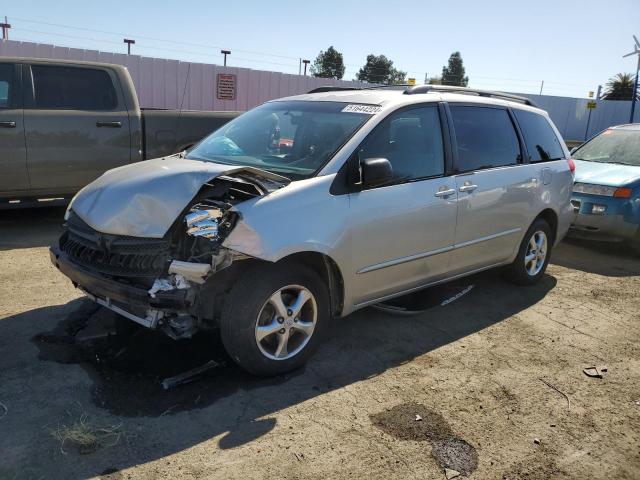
(486, 138)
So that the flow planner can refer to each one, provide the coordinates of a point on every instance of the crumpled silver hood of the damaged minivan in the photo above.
(143, 199)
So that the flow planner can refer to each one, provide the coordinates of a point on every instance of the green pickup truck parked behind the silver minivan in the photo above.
(64, 123)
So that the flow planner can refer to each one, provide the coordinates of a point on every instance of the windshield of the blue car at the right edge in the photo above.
(612, 146)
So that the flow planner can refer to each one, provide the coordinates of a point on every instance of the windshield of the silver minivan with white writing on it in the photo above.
(294, 138)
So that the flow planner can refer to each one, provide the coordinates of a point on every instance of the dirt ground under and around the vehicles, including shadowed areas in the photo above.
(490, 385)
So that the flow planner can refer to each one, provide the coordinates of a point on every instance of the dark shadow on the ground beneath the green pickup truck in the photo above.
(30, 227)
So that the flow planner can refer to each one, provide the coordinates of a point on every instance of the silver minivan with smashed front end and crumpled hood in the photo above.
(308, 208)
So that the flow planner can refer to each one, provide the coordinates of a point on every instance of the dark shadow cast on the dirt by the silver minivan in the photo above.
(45, 384)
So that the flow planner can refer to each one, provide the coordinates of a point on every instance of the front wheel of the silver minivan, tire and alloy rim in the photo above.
(250, 311)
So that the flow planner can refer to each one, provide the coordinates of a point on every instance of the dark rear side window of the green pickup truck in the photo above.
(72, 88)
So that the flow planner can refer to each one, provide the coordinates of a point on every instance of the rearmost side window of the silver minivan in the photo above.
(541, 141)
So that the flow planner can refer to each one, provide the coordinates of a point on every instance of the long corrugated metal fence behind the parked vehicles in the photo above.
(161, 83)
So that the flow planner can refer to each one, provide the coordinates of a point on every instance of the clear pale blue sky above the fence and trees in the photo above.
(571, 45)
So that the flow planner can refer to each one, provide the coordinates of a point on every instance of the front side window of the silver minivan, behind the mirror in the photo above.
(412, 142)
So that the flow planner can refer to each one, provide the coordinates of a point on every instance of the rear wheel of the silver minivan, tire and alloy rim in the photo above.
(523, 272)
